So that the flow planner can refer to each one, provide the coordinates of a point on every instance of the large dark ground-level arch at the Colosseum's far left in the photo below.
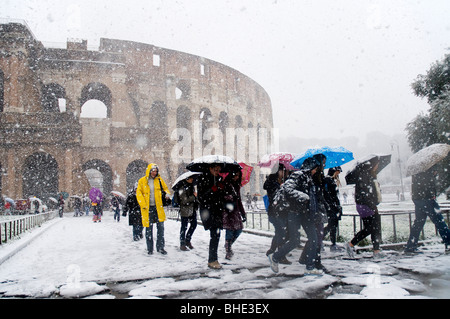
(40, 176)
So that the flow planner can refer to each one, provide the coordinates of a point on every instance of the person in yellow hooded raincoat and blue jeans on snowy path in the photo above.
(148, 194)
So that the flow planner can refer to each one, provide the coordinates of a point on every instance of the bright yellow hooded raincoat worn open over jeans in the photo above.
(143, 195)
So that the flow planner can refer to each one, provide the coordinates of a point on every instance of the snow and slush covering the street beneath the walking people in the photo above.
(72, 257)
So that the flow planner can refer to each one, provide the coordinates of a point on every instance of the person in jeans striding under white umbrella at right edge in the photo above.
(423, 193)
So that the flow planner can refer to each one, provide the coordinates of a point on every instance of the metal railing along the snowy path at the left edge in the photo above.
(17, 225)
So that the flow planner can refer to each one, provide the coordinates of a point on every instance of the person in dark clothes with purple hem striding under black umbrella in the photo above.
(367, 197)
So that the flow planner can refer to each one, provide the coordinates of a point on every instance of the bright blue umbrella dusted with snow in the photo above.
(336, 156)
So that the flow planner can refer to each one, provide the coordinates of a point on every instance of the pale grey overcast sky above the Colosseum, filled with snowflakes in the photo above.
(332, 68)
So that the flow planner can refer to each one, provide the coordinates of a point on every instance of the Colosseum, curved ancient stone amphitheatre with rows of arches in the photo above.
(64, 111)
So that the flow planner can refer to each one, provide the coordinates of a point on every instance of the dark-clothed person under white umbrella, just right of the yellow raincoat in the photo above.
(187, 197)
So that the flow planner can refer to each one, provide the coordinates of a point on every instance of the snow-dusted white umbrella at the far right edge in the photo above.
(426, 158)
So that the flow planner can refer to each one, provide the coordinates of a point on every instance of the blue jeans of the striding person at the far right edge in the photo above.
(423, 209)
